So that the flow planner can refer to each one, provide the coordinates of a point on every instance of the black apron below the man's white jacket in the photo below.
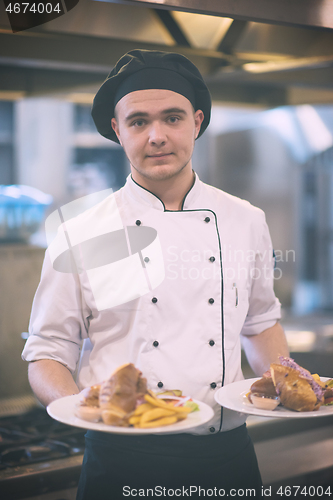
(177, 465)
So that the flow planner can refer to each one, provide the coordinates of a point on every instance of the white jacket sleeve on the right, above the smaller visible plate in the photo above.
(264, 307)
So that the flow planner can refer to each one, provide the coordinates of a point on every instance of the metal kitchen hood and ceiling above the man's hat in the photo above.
(243, 59)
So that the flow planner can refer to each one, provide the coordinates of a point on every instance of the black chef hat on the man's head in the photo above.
(149, 69)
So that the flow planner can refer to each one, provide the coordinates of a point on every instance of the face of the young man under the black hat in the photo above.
(157, 129)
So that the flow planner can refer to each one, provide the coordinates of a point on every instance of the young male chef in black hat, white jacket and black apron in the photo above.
(168, 273)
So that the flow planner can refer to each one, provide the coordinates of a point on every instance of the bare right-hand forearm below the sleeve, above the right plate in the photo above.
(263, 349)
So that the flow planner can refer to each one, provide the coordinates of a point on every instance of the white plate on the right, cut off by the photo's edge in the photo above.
(233, 397)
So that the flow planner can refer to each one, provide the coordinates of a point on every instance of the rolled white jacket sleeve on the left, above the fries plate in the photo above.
(59, 318)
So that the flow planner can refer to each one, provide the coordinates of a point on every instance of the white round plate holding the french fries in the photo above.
(63, 410)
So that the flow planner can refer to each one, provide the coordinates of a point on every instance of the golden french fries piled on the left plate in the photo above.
(155, 413)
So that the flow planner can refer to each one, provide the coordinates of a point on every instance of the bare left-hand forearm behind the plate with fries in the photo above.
(50, 380)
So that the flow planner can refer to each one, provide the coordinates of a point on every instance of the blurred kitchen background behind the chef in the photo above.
(270, 141)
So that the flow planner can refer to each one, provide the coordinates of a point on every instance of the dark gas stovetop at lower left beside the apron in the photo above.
(38, 454)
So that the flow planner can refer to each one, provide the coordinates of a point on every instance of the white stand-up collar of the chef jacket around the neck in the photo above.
(142, 195)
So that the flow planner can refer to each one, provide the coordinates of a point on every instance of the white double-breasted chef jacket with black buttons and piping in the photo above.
(183, 329)
